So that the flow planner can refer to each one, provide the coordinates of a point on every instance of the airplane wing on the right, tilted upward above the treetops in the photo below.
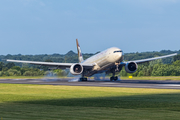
(149, 59)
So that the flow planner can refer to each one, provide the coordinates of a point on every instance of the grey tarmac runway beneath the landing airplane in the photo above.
(158, 84)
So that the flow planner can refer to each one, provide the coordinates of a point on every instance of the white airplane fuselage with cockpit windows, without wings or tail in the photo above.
(105, 60)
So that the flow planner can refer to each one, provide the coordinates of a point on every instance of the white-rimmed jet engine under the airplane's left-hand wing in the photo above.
(76, 69)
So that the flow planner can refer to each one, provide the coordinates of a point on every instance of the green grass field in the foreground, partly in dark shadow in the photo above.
(49, 102)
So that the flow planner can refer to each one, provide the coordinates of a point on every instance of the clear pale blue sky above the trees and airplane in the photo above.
(52, 26)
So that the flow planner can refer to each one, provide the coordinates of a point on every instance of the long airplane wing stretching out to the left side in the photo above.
(51, 64)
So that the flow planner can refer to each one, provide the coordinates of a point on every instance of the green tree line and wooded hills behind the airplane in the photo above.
(163, 67)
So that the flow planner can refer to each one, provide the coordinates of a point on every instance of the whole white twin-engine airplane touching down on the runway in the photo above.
(109, 61)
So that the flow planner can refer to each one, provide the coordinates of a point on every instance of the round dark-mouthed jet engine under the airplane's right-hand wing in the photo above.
(131, 67)
